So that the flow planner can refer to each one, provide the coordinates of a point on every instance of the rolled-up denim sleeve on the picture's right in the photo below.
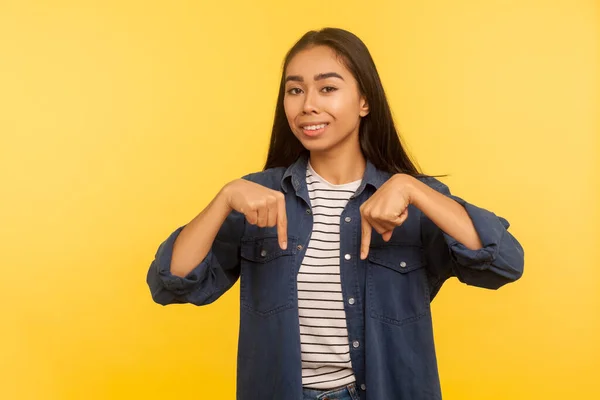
(498, 262)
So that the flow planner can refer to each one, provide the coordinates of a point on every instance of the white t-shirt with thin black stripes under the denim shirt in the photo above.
(323, 333)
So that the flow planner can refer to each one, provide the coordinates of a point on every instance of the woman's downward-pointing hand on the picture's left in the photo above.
(260, 205)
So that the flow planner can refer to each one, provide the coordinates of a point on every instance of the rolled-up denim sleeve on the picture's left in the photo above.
(218, 272)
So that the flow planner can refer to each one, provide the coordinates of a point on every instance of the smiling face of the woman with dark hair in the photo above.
(322, 100)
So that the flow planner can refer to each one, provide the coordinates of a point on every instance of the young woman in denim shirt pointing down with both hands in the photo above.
(340, 243)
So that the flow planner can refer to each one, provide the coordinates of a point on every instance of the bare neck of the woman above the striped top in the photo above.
(340, 167)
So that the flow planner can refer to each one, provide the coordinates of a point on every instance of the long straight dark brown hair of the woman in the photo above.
(378, 137)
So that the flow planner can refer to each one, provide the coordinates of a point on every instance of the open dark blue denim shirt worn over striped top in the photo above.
(389, 318)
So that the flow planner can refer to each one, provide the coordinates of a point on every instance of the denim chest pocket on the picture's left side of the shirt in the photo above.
(267, 275)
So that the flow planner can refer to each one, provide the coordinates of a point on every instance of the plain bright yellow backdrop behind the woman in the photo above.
(120, 120)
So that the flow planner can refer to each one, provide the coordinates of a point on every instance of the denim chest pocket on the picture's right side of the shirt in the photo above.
(397, 286)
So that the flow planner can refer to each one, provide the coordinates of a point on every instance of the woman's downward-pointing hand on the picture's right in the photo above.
(385, 210)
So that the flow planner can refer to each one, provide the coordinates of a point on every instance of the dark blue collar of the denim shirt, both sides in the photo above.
(296, 175)
